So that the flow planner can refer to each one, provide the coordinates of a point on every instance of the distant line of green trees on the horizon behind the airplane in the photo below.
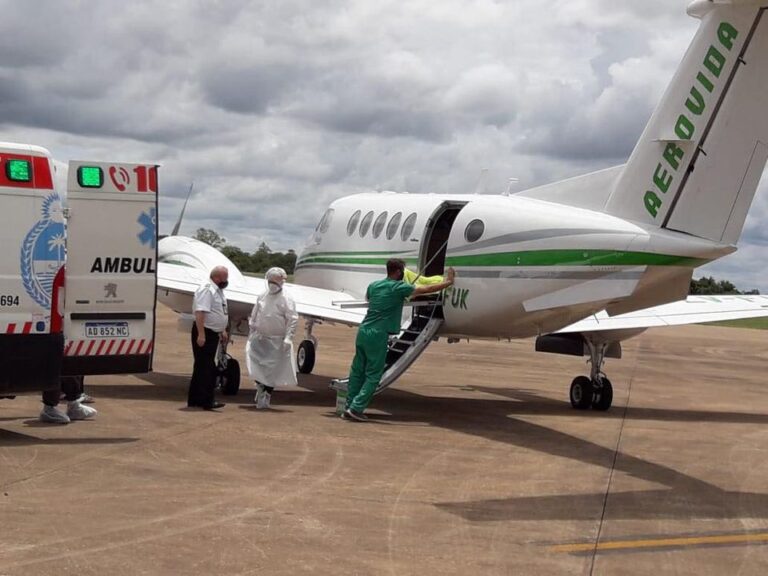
(264, 258)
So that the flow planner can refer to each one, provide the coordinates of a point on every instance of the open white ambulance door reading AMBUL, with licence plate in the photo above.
(111, 268)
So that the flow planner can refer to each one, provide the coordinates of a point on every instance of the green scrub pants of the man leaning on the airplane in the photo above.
(367, 367)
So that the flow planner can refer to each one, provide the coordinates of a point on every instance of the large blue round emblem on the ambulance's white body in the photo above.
(43, 251)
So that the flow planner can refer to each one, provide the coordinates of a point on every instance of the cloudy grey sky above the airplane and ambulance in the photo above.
(276, 107)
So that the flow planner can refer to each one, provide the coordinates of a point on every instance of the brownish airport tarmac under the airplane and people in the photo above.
(475, 464)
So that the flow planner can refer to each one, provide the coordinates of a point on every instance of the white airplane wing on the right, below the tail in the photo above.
(693, 310)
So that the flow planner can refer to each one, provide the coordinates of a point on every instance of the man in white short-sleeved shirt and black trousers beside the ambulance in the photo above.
(209, 329)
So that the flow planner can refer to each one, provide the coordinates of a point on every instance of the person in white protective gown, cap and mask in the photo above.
(269, 351)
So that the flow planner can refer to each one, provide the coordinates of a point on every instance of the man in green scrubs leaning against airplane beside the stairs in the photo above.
(385, 309)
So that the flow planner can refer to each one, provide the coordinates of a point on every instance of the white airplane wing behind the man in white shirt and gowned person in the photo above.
(316, 303)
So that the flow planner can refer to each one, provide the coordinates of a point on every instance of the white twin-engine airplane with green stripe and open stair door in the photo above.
(581, 264)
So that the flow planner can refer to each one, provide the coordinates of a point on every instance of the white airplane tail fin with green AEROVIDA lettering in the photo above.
(700, 159)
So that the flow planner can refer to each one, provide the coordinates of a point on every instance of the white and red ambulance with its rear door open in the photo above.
(77, 277)
